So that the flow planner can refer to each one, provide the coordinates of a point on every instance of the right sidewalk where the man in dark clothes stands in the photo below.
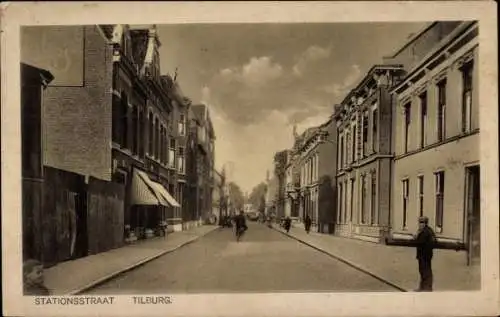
(393, 264)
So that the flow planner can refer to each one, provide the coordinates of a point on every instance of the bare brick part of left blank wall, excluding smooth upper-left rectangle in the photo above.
(77, 120)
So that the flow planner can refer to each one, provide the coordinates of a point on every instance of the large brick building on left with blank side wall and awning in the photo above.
(109, 114)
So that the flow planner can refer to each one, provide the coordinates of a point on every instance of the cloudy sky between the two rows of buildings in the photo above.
(261, 79)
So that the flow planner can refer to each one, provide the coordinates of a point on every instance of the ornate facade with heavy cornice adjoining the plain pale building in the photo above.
(364, 120)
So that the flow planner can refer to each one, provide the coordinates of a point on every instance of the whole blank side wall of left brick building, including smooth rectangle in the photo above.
(77, 104)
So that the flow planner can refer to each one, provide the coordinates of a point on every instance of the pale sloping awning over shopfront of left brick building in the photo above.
(147, 192)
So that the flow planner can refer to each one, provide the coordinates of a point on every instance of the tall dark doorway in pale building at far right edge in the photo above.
(473, 208)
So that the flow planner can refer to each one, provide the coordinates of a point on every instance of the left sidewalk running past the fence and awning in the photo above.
(73, 277)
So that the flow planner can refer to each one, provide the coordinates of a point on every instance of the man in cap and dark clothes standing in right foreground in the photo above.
(425, 241)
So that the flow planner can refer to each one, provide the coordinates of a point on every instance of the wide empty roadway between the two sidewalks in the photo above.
(264, 261)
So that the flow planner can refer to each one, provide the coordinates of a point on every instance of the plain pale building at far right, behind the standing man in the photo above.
(436, 140)
